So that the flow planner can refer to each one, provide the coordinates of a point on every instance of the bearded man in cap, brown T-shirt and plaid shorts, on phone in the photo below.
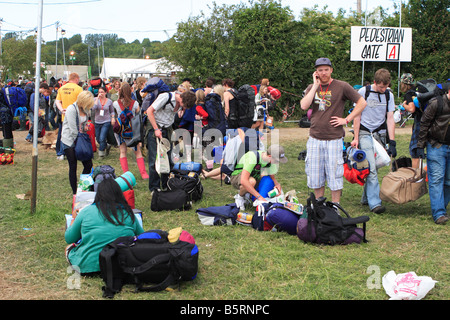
(324, 160)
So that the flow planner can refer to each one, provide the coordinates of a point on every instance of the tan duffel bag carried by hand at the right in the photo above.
(403, 185)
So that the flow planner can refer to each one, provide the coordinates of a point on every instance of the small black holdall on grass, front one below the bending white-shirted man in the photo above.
(177, 199)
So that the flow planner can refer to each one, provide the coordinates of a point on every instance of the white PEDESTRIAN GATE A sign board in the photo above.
(381, 44)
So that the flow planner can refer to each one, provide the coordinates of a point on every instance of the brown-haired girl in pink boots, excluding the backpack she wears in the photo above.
(126, 105)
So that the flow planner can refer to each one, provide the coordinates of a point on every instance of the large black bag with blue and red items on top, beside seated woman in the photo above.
(150, 258)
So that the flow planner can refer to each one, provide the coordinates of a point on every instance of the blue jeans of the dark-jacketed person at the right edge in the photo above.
(438, 167)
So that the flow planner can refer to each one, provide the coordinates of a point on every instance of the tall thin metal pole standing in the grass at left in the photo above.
(36, 111)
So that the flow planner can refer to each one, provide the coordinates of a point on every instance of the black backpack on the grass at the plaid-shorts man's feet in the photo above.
(330, 227)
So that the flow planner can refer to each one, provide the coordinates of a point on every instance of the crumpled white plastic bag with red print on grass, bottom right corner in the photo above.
(407, 286)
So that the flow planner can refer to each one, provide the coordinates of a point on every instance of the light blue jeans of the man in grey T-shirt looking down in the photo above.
(371, 193)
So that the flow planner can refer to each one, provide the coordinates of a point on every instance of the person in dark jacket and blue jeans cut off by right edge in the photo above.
(434, 135)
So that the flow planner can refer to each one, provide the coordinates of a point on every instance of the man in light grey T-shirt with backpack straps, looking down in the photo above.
(376, 120)
